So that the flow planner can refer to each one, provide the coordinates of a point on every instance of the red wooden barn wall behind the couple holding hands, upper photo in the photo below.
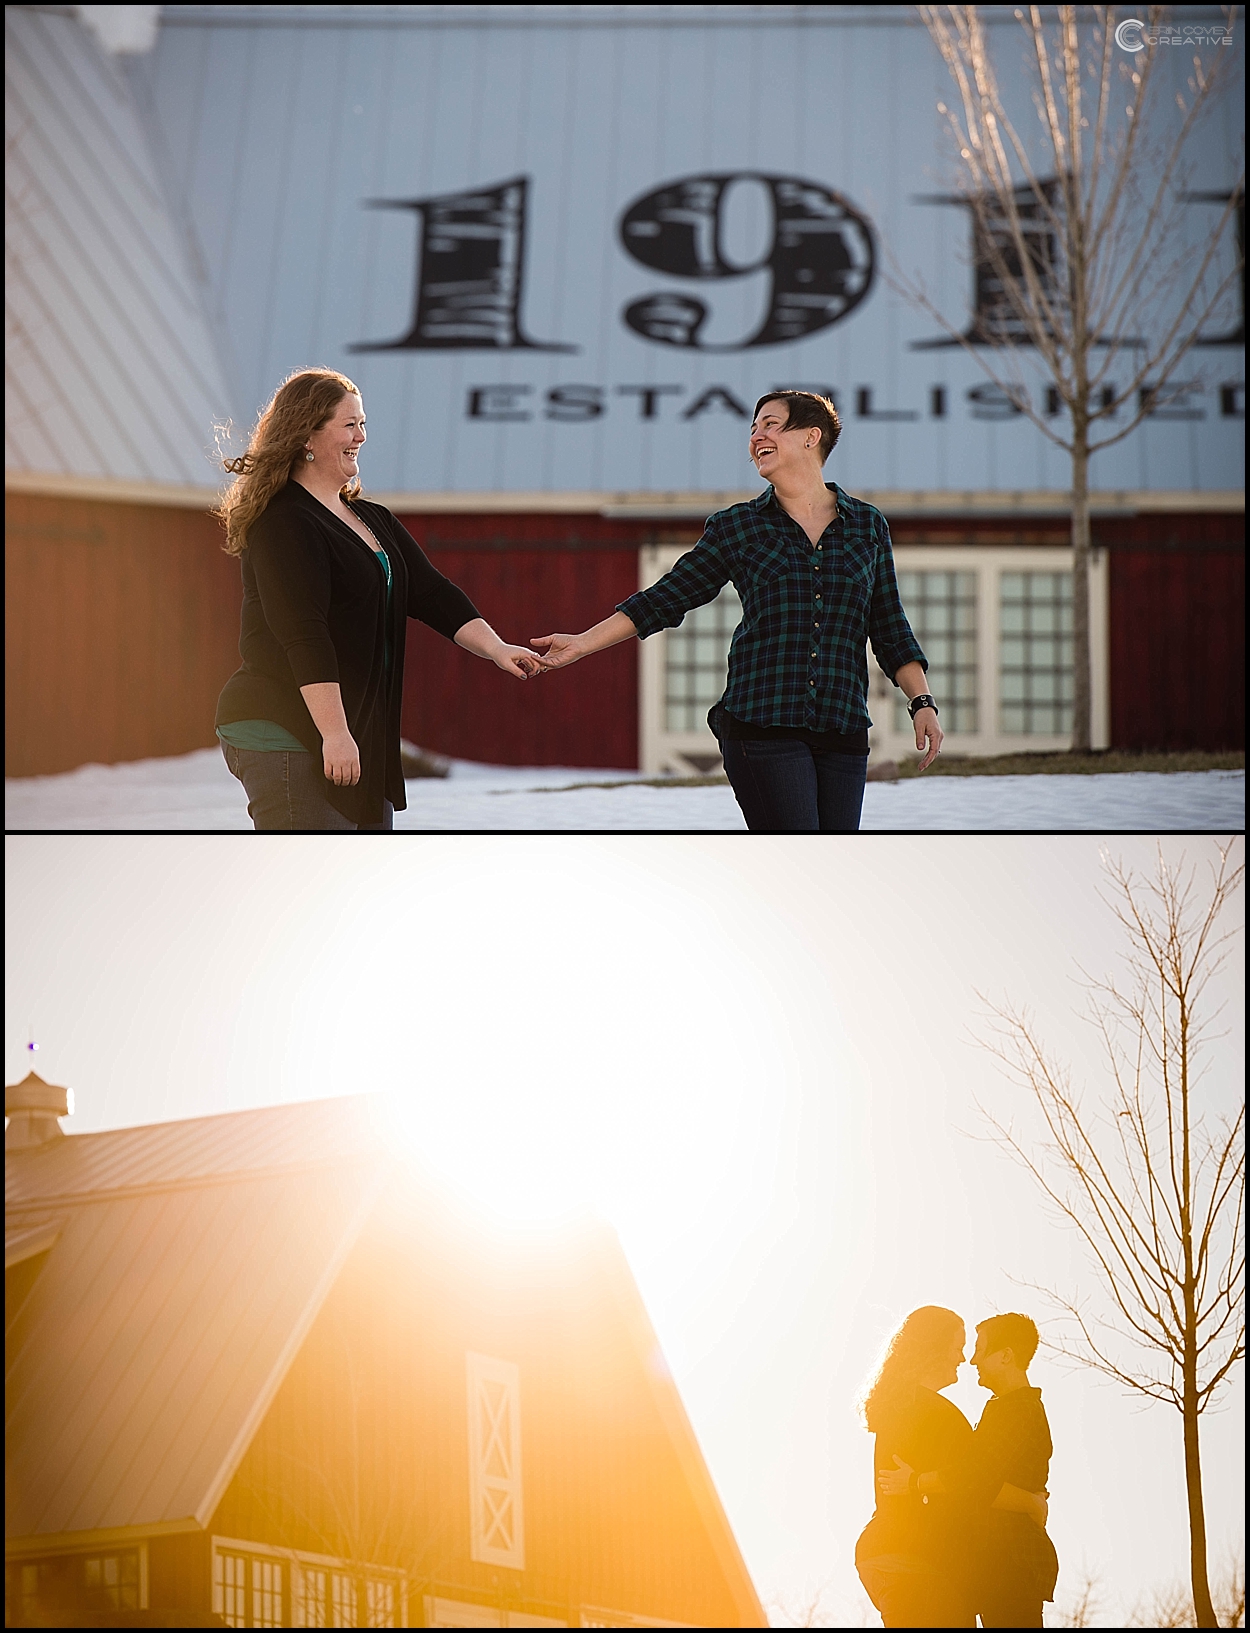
(123, 626)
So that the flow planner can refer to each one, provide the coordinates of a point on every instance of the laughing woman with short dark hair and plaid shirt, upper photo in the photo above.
(816, 576)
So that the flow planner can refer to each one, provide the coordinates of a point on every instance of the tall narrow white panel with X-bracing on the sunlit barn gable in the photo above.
(496, 1524)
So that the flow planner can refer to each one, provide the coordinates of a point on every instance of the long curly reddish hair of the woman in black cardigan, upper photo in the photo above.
(301, 406)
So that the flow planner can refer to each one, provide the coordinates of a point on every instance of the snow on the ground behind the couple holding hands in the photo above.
(199, 793)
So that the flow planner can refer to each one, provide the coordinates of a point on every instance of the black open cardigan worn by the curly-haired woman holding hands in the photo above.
(315, 610)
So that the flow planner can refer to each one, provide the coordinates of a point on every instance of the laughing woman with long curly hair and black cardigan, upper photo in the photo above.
(310, 723)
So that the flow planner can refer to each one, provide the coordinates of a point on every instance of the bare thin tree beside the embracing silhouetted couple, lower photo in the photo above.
(1151, 1178)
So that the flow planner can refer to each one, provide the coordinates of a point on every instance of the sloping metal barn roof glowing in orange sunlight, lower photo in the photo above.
(190, 1263)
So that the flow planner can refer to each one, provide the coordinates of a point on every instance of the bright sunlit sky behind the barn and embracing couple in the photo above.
(756, 1056)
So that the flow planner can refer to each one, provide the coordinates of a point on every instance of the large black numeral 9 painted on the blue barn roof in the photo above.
(821, 257)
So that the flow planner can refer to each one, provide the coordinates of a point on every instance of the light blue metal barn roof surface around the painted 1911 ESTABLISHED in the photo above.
(279, 131)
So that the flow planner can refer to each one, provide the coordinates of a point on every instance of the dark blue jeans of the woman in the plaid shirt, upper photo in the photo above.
(788, 788)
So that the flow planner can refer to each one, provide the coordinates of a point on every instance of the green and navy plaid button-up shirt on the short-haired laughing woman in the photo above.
(808, 612)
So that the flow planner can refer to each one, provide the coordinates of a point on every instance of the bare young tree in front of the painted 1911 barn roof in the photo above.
(1083, 260)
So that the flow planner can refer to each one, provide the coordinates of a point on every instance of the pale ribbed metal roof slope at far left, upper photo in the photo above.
(110, 367)
